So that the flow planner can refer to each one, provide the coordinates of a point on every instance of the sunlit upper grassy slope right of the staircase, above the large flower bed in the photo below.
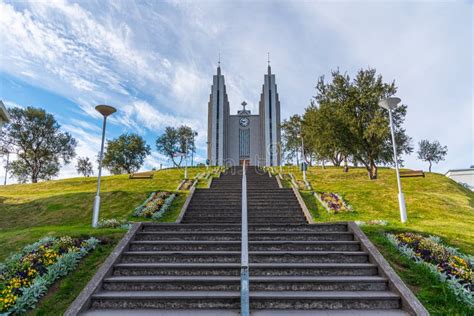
(435, 204)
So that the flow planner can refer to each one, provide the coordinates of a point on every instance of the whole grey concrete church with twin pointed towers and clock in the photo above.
(235, 139)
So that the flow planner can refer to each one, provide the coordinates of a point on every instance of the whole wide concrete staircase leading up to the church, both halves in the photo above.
(193, 268)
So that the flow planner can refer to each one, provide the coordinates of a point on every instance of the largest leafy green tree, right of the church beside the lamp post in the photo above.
(355, 123)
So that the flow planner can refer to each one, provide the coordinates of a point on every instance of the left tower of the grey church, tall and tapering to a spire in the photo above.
(218, 119)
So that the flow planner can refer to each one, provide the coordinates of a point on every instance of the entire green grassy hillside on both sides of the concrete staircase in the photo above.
(436, 205)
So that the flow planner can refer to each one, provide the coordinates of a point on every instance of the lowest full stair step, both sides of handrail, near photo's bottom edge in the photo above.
(258, 299)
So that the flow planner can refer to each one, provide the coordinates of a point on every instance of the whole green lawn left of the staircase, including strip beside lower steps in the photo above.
(29, 212)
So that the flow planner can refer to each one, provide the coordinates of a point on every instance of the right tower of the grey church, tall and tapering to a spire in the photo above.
(269, 111)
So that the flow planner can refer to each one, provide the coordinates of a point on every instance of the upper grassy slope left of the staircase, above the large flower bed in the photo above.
(30, 211)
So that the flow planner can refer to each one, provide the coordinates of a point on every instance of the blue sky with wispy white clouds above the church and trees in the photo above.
(154, 61)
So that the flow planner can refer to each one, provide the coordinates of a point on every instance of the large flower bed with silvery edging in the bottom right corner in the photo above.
(450, 265)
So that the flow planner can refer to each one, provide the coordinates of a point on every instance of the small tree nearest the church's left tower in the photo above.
(176, 141)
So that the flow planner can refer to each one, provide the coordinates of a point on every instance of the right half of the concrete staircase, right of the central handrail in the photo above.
(296, 266)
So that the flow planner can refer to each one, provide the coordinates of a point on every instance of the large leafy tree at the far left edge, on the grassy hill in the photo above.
(40, 146)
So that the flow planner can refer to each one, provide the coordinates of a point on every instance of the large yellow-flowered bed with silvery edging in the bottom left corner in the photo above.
(26, 276)
